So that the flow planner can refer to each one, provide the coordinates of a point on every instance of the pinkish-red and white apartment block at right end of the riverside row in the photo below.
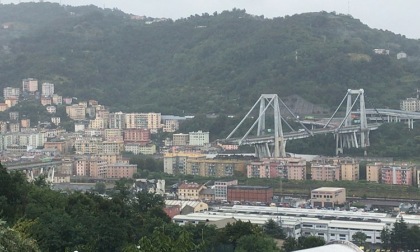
(396, 175)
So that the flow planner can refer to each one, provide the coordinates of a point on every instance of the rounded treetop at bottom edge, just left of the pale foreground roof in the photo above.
(256, 243)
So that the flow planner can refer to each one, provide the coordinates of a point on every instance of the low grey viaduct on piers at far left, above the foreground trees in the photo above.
(33, 169)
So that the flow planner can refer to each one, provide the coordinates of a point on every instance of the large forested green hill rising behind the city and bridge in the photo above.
(218, 62)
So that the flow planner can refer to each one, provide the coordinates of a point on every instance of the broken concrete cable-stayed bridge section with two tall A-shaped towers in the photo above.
(272, 142)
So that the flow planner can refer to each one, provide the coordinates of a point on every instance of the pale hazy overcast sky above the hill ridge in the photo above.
(398, 16)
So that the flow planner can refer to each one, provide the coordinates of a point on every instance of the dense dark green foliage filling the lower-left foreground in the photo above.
(40, 219)
